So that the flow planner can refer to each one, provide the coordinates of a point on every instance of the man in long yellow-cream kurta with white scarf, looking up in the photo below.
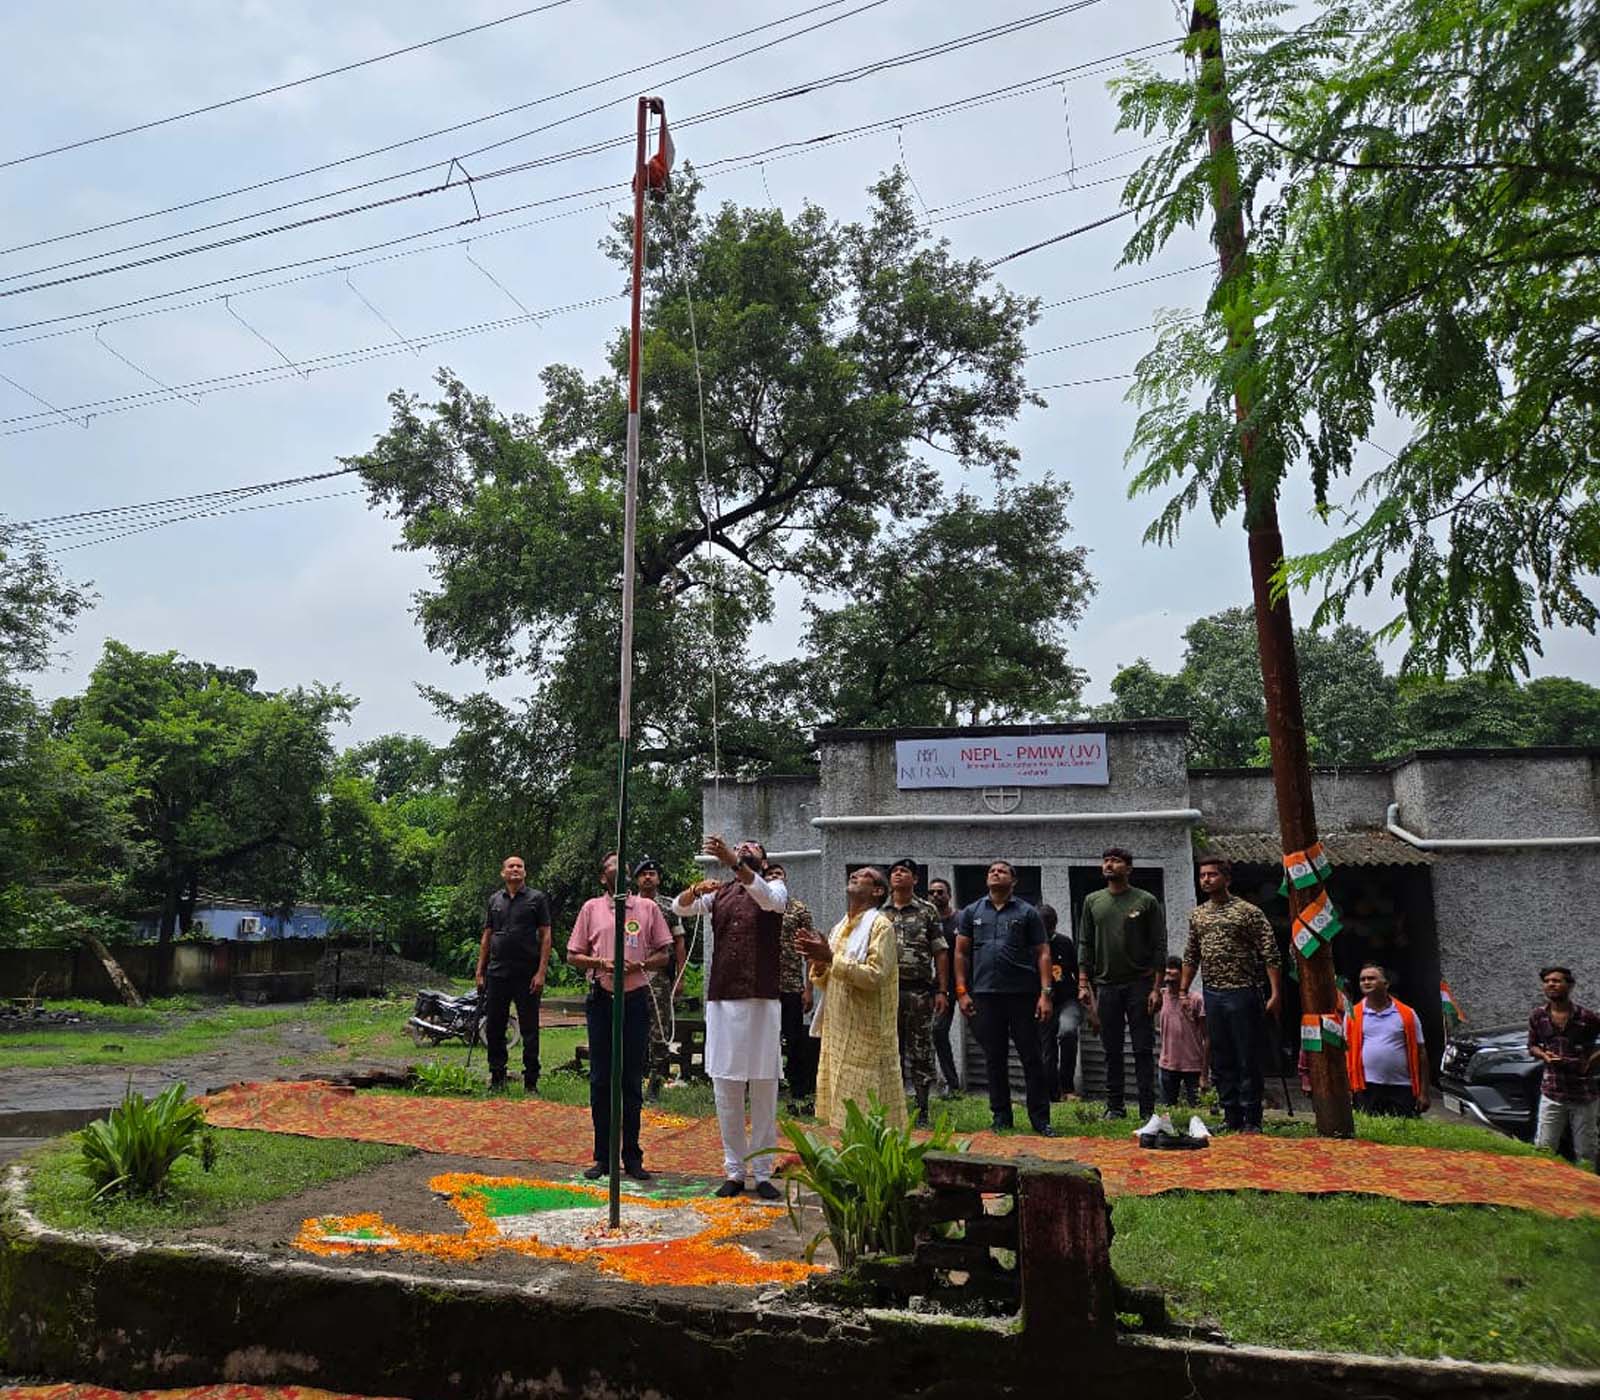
(857, 967)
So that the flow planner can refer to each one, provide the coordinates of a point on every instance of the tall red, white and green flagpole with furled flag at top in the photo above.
(649, 177)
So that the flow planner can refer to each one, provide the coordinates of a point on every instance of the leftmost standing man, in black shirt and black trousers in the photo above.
(513, 961)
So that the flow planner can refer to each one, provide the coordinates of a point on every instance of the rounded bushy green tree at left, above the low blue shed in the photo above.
(225, 778)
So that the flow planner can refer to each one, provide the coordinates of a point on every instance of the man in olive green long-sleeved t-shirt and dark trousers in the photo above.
(1122, 951)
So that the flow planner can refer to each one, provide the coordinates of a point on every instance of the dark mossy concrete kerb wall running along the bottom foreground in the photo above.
(108, 1310)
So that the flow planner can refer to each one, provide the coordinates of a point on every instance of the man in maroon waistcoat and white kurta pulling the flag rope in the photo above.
(743, 1010)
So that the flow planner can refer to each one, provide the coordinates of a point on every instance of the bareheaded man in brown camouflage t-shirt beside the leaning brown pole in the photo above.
(1233, 942)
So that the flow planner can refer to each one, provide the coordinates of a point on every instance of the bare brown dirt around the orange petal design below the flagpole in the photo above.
(399, 1193)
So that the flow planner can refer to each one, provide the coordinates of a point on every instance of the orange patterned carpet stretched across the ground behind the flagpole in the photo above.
(532, 1130)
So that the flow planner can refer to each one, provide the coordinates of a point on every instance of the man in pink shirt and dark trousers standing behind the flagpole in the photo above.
(593, 951)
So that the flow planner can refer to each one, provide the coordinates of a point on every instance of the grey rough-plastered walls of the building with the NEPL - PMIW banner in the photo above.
(1500, 914)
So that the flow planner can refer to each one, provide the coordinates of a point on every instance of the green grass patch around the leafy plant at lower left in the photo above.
(250, 1169)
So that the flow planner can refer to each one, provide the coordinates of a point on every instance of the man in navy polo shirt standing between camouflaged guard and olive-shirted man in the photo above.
(1002, 983)
